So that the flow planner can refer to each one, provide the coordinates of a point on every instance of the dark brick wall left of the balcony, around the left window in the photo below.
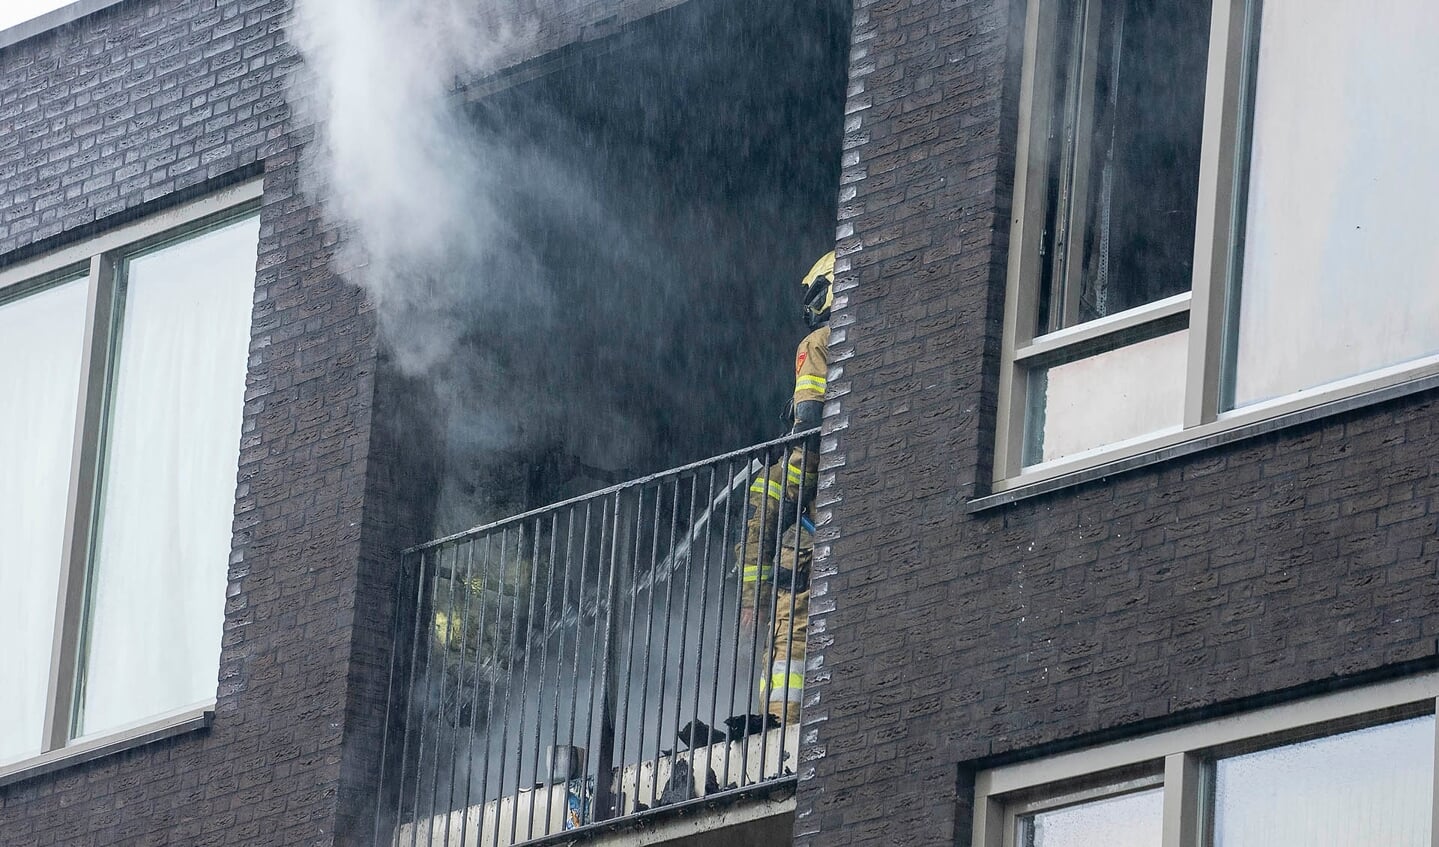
(107, 120)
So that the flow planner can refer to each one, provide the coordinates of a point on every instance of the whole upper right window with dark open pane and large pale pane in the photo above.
(1211, 231)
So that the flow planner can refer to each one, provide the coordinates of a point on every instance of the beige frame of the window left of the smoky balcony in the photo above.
(100, 261)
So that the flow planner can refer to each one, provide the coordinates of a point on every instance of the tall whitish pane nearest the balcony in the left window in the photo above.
(163, 540)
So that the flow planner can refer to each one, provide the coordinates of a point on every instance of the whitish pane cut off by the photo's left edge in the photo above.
(41, 350)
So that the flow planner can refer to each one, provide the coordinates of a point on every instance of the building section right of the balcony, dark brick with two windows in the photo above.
(1053, 618)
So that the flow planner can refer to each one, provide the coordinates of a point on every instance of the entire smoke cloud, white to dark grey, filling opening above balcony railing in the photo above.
(545, 260)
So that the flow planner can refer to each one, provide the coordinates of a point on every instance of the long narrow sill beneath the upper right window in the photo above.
(1233, 428)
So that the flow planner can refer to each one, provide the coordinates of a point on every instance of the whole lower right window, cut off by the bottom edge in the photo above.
(1348, 770)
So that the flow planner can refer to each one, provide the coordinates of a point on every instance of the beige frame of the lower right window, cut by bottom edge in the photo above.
(1185, 757)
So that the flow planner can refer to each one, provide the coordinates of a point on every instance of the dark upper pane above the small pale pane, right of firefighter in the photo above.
(1125, 157)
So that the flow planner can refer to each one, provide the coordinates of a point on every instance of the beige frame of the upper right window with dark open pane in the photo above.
(1234, 47)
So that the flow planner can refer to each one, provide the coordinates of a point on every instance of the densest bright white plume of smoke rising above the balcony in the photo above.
(395, 162)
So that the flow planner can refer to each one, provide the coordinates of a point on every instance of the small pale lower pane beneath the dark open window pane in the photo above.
(1104, 399)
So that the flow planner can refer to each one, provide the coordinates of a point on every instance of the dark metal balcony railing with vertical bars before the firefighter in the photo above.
(599, 658)
